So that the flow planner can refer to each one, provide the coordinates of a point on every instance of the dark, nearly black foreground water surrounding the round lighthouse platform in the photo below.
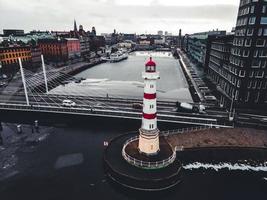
(69, 165)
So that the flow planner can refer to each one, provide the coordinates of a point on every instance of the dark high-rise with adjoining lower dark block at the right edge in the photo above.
(245, 74)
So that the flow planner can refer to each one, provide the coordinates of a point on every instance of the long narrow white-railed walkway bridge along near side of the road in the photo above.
(163, 115)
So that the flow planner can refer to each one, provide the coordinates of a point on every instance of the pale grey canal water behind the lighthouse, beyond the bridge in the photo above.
(124, 79)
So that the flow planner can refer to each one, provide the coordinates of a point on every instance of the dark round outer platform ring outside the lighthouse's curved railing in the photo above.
(128, 175)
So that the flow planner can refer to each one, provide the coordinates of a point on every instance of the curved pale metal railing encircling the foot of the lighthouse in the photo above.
(145, 164)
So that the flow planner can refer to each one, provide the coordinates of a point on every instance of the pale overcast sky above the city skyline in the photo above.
(132, 16)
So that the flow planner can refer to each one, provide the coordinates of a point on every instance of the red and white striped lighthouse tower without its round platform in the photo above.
(149, 133)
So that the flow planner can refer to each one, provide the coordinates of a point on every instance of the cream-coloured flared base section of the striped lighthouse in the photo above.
(149, 142)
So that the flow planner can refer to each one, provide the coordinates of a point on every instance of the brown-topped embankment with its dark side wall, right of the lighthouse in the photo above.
(221, 145)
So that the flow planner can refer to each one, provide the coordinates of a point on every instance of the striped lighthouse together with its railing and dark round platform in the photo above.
(144, 151)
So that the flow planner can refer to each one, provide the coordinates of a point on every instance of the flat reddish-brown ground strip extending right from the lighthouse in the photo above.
(237, 137)
